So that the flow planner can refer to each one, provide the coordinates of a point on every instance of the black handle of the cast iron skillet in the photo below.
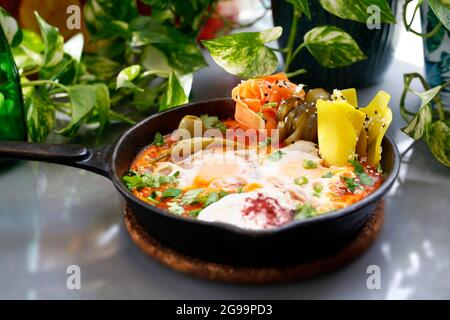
(95, 160)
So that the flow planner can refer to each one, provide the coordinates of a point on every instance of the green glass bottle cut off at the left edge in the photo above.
(12, 112)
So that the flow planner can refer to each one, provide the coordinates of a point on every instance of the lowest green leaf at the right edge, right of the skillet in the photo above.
(438, 140)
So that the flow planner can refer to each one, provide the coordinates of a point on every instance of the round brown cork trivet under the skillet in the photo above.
(255, 275)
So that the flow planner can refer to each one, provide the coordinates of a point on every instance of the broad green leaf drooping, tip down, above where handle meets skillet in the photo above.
(82, 100)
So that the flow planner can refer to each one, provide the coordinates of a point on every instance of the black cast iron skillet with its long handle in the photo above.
(294, 242)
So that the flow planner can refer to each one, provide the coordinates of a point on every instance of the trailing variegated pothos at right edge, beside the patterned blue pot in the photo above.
(431, 122)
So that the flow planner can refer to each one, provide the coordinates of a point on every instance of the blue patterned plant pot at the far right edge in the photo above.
(436, 53)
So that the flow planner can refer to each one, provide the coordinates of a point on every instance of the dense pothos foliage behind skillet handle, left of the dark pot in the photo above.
(141, 64)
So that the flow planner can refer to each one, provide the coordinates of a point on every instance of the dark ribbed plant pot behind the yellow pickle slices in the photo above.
(377, 45)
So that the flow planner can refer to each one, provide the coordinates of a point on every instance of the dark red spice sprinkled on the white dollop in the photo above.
(267, 210)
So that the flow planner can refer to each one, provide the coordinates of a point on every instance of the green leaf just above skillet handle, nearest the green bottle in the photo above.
(40, 117)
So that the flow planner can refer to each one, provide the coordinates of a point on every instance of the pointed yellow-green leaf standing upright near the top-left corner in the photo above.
(53, 42)
